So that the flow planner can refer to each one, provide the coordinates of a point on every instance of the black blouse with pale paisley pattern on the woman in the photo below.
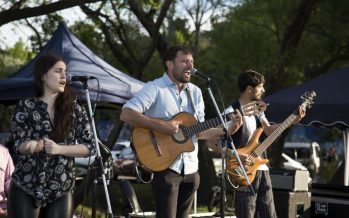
(43, 176)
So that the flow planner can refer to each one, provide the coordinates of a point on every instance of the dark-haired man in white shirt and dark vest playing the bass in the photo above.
(247, 204)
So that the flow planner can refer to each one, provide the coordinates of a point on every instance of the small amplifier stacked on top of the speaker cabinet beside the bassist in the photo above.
(291, 180)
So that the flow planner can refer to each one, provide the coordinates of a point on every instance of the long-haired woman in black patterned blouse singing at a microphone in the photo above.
(49, 131)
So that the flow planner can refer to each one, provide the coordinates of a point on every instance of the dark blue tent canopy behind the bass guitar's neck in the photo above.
(331, 104)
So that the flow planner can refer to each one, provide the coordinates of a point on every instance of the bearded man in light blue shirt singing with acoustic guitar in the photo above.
(154, 113)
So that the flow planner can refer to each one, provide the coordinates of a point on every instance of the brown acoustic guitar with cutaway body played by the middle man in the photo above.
(157, 151)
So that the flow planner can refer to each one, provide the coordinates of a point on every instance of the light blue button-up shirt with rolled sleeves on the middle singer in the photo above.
(161, 99)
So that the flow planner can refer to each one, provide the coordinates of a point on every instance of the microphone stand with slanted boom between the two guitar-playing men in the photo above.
(223, 153)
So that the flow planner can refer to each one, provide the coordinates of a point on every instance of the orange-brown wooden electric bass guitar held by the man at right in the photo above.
(254, 150)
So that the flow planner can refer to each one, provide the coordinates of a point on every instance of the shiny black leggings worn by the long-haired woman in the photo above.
(21, 205)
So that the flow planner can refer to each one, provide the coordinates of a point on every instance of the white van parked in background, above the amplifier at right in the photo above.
(307, 153)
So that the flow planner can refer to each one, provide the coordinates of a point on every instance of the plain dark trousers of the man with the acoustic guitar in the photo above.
(174, 193)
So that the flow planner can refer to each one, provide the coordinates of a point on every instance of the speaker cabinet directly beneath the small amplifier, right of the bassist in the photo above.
(292, 204)
